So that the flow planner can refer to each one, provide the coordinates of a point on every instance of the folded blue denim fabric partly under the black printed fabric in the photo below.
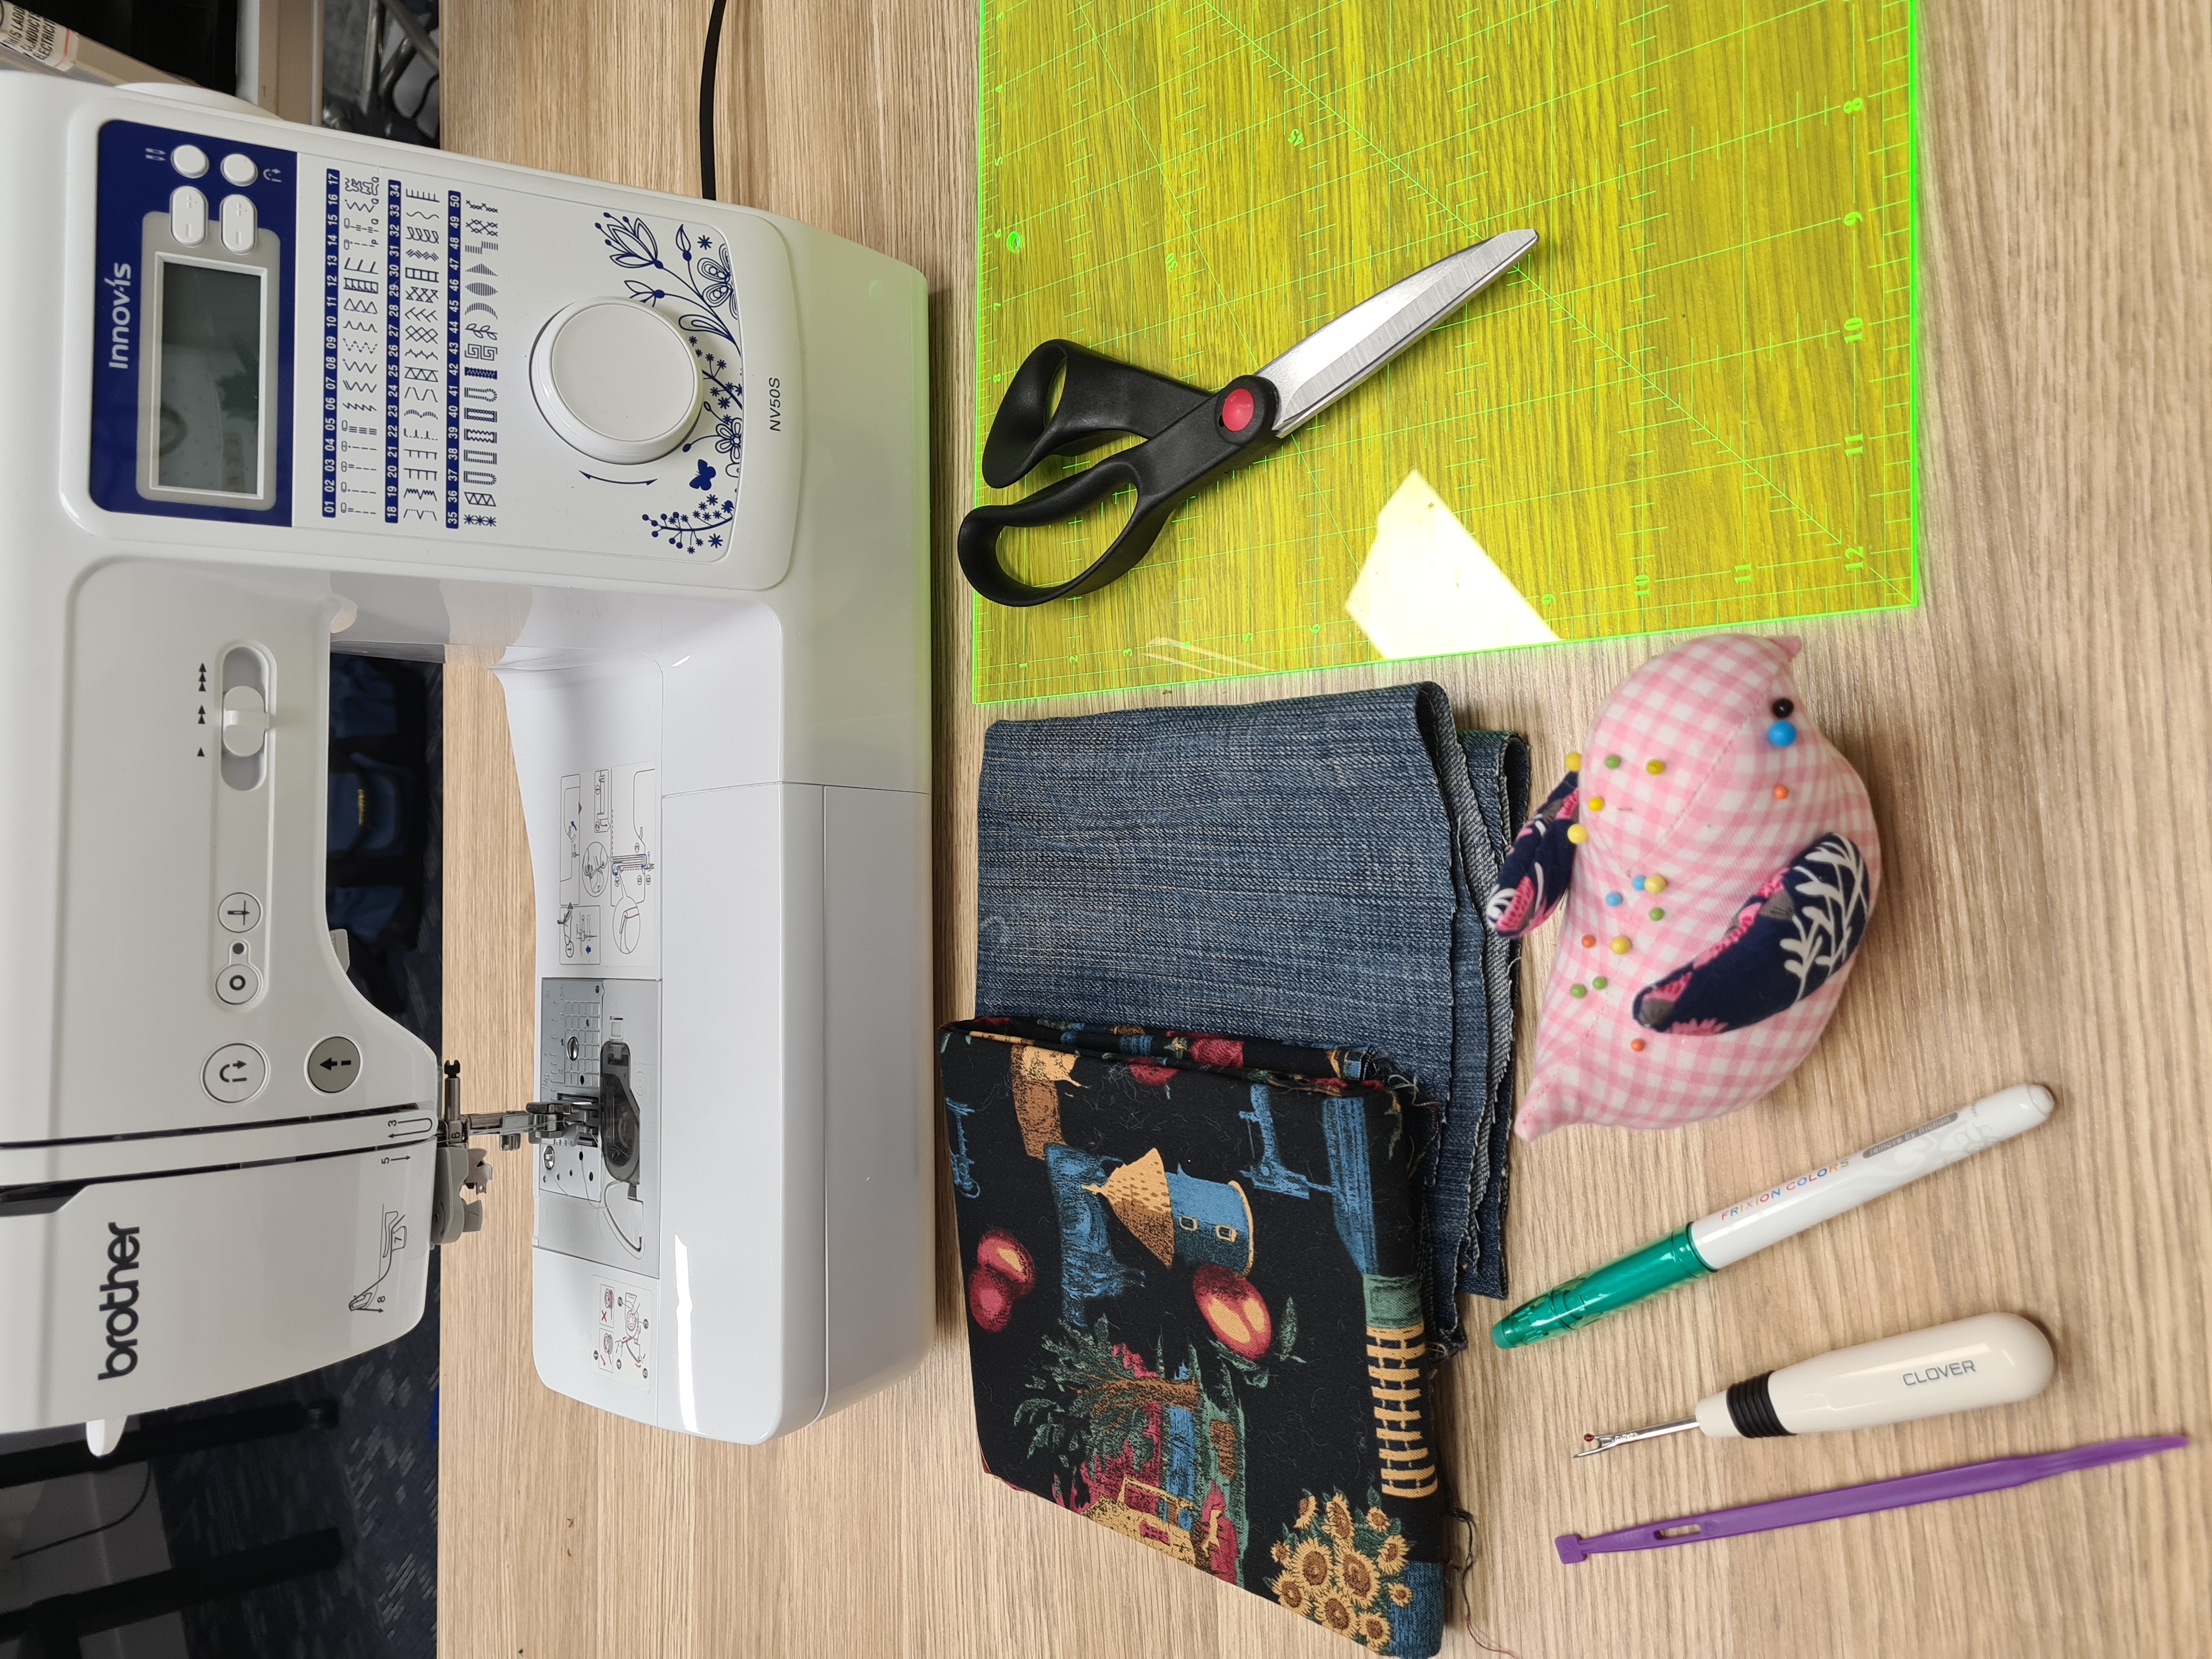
(1308, 873)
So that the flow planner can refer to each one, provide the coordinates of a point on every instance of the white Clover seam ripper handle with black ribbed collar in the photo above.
(1990, 1359)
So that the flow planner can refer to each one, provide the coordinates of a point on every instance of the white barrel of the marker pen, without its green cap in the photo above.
(1773, 1215)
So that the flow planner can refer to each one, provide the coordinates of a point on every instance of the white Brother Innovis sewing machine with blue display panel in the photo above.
(269, 390)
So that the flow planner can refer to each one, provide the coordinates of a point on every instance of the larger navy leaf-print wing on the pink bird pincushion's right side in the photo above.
(1788, 941)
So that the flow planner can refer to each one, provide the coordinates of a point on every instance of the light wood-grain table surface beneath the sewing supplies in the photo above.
(2036, 738)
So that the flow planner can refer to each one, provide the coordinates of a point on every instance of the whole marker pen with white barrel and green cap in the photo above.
(1768, 1218)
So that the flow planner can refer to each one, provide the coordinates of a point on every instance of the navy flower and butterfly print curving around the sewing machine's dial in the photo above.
(707, 291)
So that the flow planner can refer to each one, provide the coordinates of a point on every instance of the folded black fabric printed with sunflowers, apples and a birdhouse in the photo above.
(1196, 1306)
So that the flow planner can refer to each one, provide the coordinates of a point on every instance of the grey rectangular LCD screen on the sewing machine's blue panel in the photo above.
(211, 379)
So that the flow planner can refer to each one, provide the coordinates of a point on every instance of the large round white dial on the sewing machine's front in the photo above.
(616, 379)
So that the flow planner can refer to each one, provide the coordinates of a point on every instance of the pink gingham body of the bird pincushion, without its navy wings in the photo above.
(1713, 828)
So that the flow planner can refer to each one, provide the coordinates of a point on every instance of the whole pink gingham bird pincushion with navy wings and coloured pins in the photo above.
(1720, 864)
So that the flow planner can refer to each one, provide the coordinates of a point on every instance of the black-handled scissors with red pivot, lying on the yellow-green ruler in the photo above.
(1191, 437)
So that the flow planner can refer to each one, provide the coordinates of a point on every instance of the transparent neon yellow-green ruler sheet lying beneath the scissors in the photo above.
(1691, 406)
